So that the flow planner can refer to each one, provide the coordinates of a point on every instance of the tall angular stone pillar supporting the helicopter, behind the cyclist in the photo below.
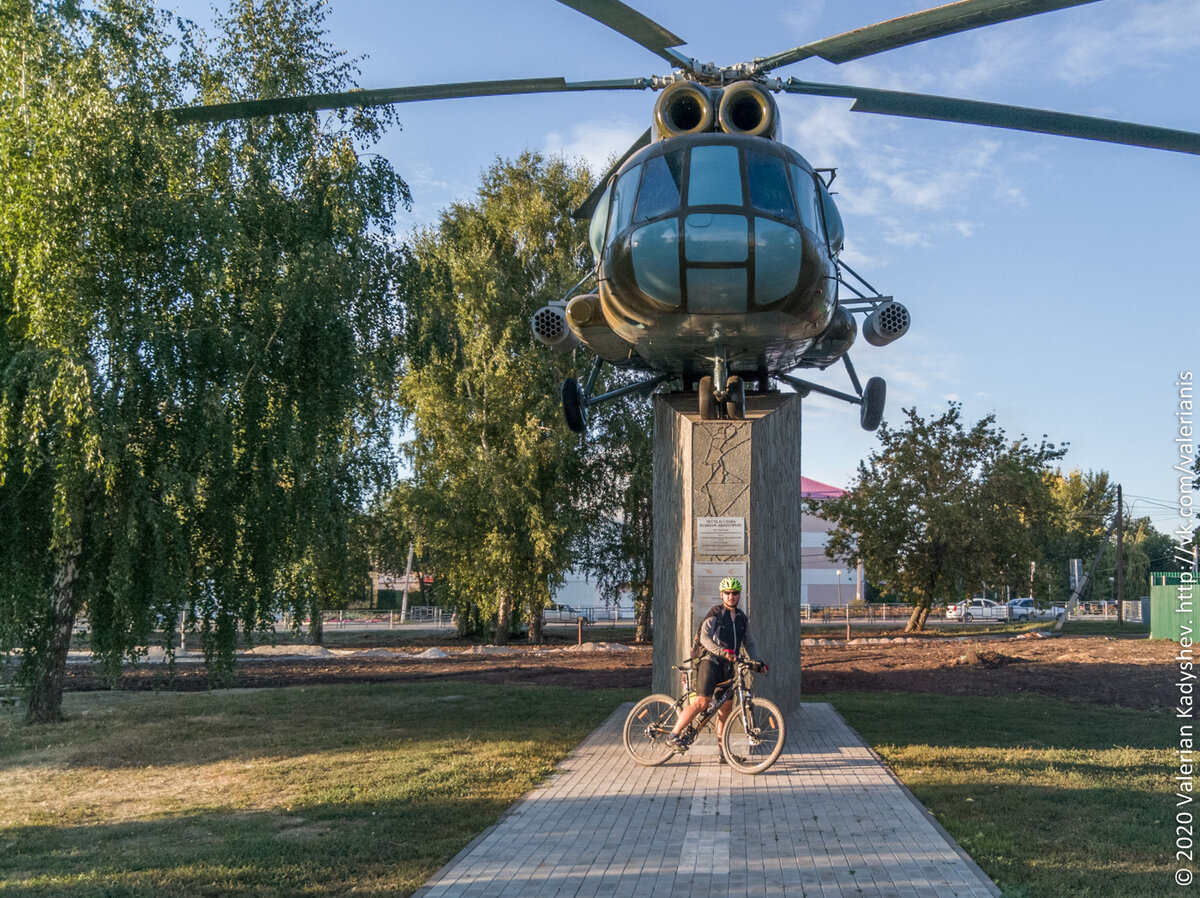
(725, 469)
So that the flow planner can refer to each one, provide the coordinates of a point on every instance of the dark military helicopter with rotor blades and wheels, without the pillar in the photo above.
(718, 247)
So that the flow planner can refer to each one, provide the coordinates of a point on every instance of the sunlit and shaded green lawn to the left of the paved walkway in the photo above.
(315, 791)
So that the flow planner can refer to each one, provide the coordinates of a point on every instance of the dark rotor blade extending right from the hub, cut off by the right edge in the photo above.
(1017, 118)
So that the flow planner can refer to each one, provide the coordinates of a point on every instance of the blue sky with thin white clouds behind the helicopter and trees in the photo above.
(1052, 282)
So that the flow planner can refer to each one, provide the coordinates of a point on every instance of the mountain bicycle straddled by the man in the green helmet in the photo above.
(754, 734)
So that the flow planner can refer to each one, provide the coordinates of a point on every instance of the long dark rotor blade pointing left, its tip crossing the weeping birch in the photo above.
(314, 103)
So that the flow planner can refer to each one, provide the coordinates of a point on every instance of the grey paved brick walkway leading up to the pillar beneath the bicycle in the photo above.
(827, 819)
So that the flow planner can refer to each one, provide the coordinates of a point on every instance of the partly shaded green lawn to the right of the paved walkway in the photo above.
(1049, 798)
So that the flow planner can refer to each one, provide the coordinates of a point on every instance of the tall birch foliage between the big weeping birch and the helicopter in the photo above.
(495, 471)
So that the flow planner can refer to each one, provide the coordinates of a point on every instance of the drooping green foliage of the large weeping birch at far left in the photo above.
(195, 331)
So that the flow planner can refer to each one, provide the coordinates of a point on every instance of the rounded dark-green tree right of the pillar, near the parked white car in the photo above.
(941, 508)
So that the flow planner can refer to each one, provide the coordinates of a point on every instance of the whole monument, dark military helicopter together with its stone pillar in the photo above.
(718, 267)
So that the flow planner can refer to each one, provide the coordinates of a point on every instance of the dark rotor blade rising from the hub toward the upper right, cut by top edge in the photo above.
(919, 27)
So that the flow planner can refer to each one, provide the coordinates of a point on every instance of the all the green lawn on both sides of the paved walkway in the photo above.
(373, 788)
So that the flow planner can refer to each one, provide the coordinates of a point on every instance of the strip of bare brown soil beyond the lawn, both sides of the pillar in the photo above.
(1130, 673)
